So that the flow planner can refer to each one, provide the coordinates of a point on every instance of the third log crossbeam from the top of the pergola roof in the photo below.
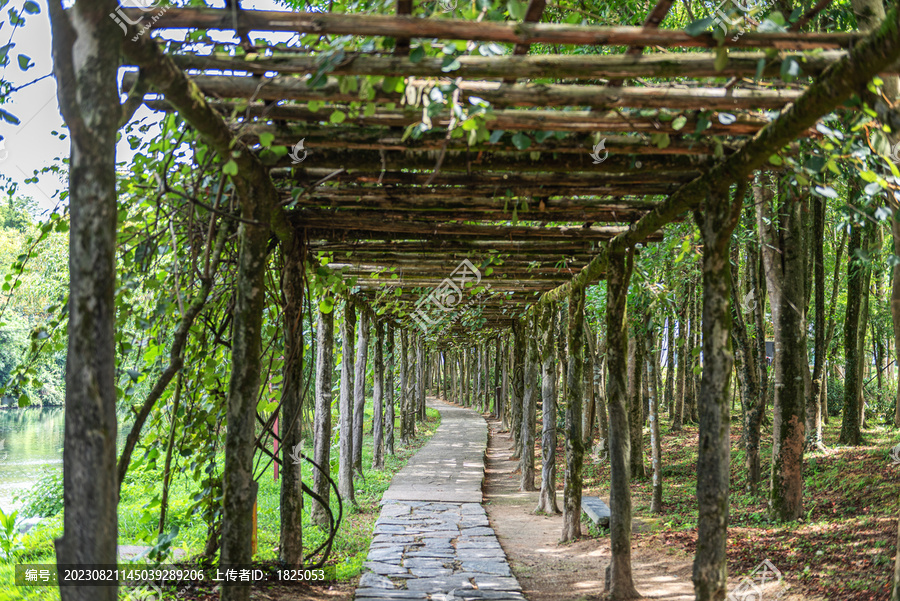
(501, 95)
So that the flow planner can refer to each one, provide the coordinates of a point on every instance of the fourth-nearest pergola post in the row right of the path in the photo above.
(547, 329)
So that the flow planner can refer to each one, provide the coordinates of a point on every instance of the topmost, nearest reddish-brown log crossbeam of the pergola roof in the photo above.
(488, 31)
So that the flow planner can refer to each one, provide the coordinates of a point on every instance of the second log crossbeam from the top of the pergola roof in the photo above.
(590, 66)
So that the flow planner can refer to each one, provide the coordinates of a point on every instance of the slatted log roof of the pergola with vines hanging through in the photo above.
(399, 213)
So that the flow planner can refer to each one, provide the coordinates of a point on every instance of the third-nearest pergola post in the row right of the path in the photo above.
(574, 446)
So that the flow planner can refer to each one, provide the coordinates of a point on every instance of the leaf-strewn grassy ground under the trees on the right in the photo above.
(843, 546)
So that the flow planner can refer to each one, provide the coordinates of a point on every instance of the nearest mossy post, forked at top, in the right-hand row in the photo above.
(716, 220)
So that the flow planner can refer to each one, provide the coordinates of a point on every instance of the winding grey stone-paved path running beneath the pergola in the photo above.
(432, 540)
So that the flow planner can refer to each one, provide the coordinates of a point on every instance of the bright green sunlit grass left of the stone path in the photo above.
(138, 515)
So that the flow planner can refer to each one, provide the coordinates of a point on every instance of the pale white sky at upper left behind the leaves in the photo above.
(31, 145)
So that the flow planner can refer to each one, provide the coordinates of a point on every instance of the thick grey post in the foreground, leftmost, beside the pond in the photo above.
(89, 101)
